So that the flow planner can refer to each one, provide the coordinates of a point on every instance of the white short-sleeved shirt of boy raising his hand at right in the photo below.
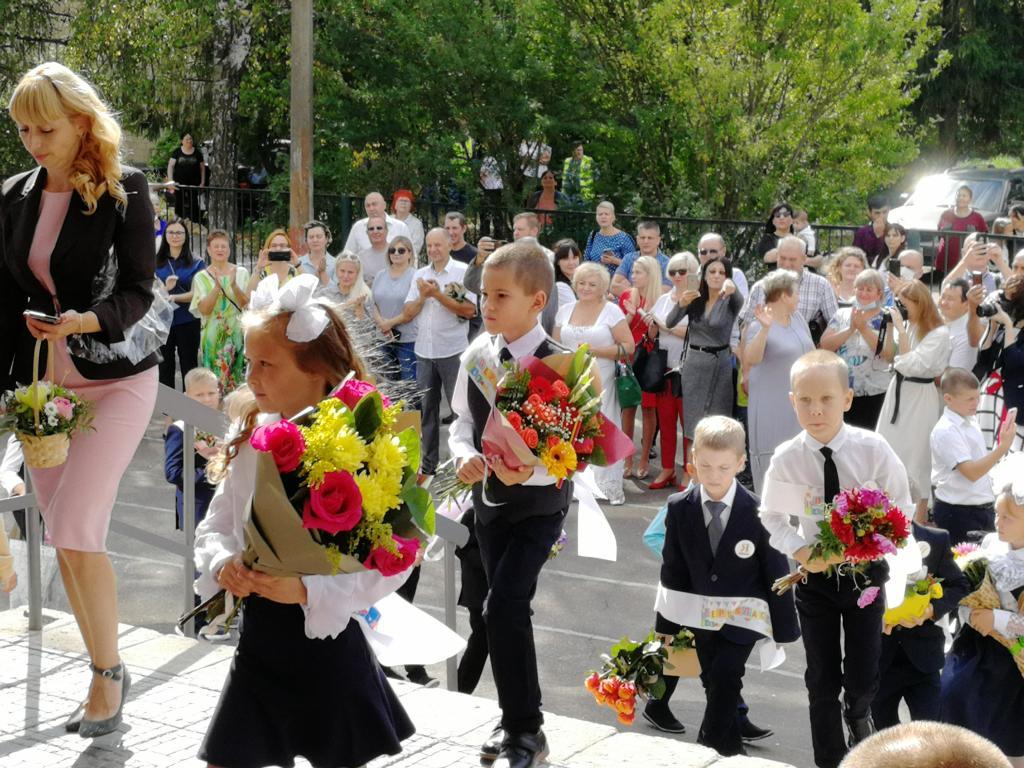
(955, 441)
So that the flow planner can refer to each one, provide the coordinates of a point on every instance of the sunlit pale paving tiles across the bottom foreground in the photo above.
(176, 685)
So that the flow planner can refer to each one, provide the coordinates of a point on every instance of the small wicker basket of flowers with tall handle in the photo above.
(45, 416)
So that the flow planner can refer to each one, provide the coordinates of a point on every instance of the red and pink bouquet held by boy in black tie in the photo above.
(863, 526)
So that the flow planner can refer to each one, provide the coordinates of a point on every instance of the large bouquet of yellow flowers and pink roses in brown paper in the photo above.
(336, 492)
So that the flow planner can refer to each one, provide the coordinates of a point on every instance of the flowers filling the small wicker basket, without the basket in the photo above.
(61, 410)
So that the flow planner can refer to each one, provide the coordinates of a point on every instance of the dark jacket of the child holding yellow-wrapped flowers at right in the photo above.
(924, 646)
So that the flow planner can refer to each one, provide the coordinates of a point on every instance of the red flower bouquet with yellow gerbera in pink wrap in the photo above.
(548, 413)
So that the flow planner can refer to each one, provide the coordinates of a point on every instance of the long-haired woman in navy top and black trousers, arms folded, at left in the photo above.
(176, 269)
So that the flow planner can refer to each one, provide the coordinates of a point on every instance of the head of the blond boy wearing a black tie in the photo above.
(820, 391)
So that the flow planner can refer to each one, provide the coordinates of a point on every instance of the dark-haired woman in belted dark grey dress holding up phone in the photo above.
(707, 371)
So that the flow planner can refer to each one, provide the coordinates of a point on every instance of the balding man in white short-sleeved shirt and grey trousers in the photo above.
(442, 336)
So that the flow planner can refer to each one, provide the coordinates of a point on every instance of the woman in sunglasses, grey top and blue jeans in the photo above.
(392, 286)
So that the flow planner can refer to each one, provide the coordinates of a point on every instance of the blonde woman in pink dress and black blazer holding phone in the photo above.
(76, 242)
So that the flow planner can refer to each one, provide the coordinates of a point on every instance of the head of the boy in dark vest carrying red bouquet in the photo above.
(517, 282)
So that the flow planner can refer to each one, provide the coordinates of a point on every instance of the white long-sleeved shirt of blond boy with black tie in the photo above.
(862, 457)
